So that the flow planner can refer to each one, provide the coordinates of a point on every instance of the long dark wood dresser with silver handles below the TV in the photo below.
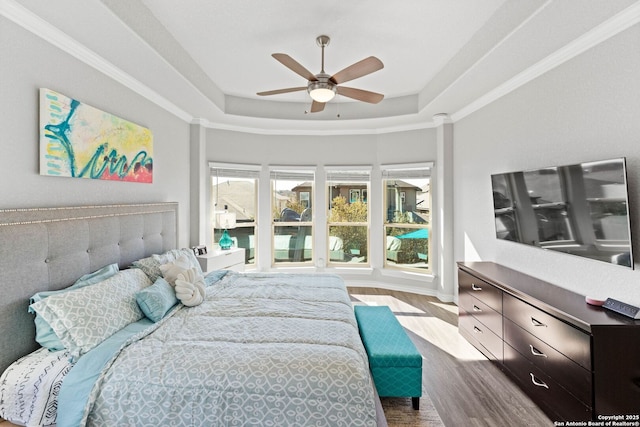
(576, 361)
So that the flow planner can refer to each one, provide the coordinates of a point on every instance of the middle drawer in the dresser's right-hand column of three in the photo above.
(563, 370)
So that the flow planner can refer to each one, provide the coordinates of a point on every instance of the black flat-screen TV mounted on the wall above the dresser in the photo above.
(580, 209)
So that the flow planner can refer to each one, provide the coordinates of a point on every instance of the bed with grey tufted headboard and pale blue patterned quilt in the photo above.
(260, 349)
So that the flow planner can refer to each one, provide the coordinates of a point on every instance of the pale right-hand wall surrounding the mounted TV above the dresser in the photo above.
(586, 109)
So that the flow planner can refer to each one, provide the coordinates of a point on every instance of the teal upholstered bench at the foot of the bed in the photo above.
(396, 364)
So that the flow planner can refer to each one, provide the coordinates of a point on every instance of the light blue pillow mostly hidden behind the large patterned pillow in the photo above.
(44, 334)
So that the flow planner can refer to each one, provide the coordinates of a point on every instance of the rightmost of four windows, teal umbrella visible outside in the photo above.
(407, 216)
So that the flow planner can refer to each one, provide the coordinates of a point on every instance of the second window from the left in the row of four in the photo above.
(292, 215)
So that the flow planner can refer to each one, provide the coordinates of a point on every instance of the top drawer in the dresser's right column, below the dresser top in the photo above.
(566, 339)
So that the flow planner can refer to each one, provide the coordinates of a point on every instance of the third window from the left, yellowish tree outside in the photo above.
(348, 216)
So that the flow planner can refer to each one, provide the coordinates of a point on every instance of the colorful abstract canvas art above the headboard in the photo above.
(80, 141)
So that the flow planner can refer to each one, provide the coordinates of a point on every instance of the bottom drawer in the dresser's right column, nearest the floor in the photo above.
(544, 390)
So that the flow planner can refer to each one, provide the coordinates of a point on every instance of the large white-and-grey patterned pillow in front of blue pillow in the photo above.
(83, 318)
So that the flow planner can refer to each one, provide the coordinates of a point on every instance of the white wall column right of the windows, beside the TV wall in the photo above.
(444, 216)
